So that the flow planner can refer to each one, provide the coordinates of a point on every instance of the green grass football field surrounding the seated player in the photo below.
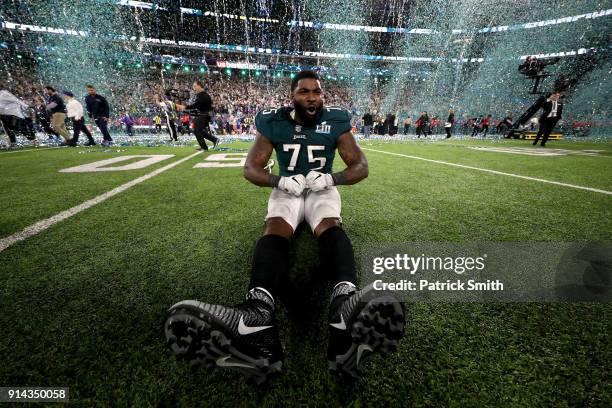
(83, 301)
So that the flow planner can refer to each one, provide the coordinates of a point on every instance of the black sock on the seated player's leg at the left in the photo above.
(270, 262)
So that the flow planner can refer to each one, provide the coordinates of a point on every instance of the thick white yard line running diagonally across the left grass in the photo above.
(46, 223)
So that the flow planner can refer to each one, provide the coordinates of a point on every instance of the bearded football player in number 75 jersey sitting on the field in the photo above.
(361, 322)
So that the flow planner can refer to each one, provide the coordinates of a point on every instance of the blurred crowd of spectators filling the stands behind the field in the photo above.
(237, 99)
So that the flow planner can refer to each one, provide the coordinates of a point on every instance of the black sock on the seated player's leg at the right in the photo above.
(336, 256)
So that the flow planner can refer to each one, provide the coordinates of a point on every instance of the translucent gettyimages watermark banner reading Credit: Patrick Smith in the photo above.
(491, 271)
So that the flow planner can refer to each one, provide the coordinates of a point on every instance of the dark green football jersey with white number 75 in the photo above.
(299, 148)
